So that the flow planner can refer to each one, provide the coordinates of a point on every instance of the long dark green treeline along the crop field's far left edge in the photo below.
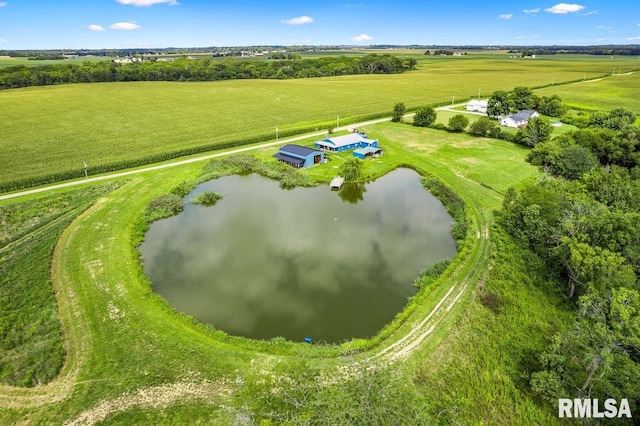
(184, 69)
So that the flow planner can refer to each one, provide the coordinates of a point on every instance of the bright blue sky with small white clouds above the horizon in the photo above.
(75, 24)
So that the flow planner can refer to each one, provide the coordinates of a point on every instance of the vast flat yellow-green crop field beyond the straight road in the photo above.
(53, 130)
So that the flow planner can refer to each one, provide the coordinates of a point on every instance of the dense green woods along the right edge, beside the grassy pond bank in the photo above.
(584, 220)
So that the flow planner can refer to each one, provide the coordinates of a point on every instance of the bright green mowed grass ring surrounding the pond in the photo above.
(132, 358)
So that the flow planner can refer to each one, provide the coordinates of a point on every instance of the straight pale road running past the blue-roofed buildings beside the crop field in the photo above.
(205, 157)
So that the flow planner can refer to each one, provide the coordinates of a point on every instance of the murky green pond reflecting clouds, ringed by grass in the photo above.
(266, 262)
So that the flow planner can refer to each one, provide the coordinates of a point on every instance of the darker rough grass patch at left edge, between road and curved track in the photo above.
(31, 344)
